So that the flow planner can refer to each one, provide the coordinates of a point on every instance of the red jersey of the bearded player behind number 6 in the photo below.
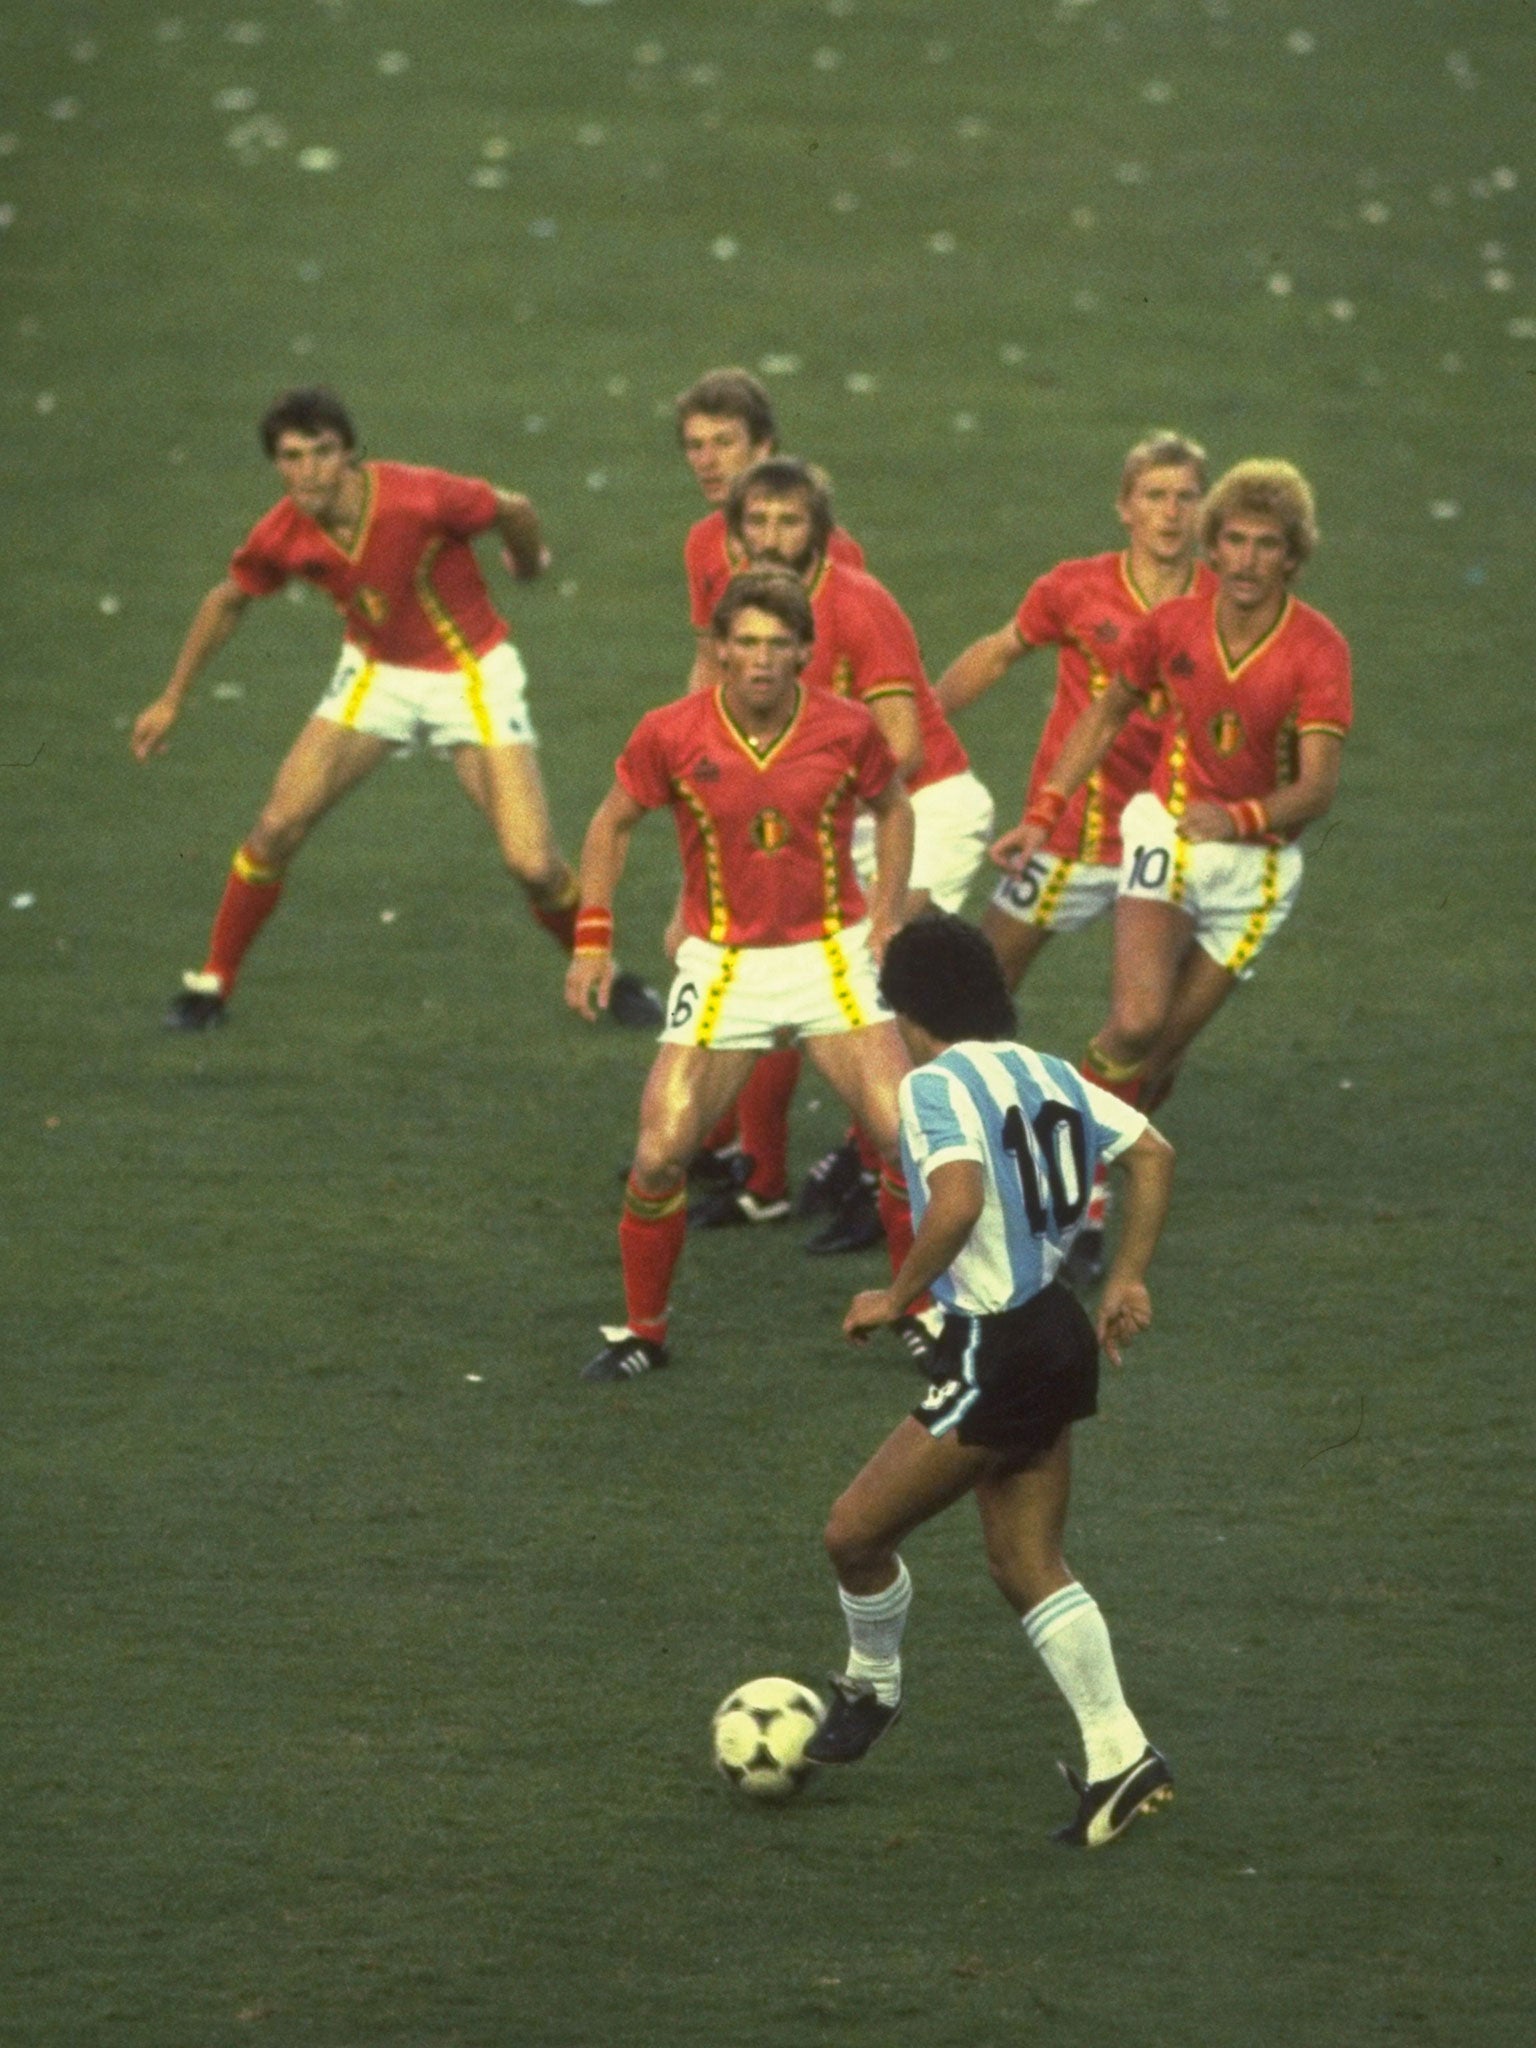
(865, 648)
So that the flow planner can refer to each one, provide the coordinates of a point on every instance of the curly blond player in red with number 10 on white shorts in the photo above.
(1252, 693)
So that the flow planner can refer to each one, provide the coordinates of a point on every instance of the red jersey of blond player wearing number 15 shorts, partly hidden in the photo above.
(1086, 609)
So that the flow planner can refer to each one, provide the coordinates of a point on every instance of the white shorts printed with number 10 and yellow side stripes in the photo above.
(1236, 894)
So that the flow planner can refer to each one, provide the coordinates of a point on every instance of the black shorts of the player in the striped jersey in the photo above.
(1015, 1381)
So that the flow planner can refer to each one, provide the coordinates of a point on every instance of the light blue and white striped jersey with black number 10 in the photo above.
(1037, 1129)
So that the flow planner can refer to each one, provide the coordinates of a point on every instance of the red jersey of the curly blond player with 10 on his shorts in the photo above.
(1232, 728)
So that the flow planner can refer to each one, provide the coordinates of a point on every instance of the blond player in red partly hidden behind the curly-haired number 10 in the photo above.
(1086, 609)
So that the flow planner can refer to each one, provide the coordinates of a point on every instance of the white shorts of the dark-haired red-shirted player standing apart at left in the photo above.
(478, 706)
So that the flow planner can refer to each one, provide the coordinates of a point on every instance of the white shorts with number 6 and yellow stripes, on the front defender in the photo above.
(749, 998)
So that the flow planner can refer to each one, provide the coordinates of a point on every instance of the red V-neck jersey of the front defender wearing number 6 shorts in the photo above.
(765, 837)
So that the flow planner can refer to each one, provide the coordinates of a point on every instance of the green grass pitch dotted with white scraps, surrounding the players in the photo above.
(357, 1660)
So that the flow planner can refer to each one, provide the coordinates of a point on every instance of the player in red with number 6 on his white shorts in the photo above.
(763, 779)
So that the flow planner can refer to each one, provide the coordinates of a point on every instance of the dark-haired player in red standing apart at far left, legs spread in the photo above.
(425, 658)
